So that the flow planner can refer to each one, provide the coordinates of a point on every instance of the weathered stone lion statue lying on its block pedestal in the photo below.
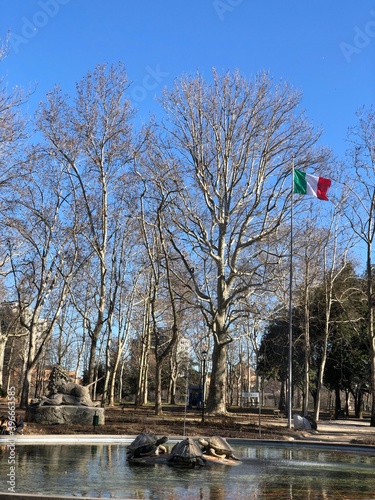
(63, 391)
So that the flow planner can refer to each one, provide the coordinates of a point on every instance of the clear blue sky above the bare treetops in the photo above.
(325, 48)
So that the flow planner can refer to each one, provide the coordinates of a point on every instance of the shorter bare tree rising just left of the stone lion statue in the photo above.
(42, 254)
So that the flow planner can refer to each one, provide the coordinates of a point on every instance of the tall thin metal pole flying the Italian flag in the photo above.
(290, 351)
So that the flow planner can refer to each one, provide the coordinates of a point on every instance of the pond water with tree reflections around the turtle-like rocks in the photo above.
(265, 472)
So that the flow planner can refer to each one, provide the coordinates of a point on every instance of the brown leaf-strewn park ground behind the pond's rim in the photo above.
(240, 423)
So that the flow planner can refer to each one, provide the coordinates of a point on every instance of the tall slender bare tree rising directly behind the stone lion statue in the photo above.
(92, 138)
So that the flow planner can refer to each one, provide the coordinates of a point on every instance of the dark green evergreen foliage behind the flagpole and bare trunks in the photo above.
(348, 364)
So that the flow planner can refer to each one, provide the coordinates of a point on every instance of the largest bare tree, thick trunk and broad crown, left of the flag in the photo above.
(228, 145)
